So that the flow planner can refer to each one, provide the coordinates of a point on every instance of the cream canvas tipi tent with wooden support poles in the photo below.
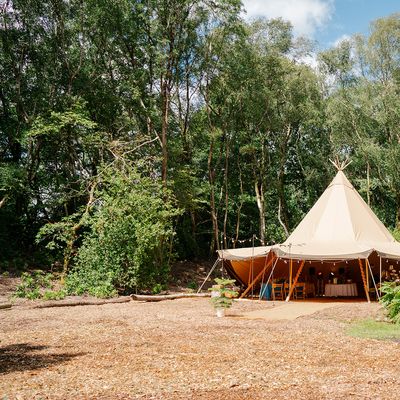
(339, 228)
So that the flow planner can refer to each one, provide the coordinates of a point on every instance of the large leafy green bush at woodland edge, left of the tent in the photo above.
(127, 246)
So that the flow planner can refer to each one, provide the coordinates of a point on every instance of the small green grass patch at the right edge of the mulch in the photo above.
(371, 329)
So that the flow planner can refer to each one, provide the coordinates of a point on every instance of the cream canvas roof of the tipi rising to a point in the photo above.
(340, 226)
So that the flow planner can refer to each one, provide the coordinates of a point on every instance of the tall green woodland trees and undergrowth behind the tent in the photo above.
(136, 133)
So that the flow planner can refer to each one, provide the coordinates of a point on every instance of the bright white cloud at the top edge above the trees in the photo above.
(307, 16)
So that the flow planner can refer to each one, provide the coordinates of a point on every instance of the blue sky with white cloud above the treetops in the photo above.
(326, 21)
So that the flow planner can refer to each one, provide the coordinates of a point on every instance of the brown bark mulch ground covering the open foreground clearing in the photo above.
(179, 350)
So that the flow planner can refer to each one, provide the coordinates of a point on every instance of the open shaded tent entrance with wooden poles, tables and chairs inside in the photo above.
(327, 279)
